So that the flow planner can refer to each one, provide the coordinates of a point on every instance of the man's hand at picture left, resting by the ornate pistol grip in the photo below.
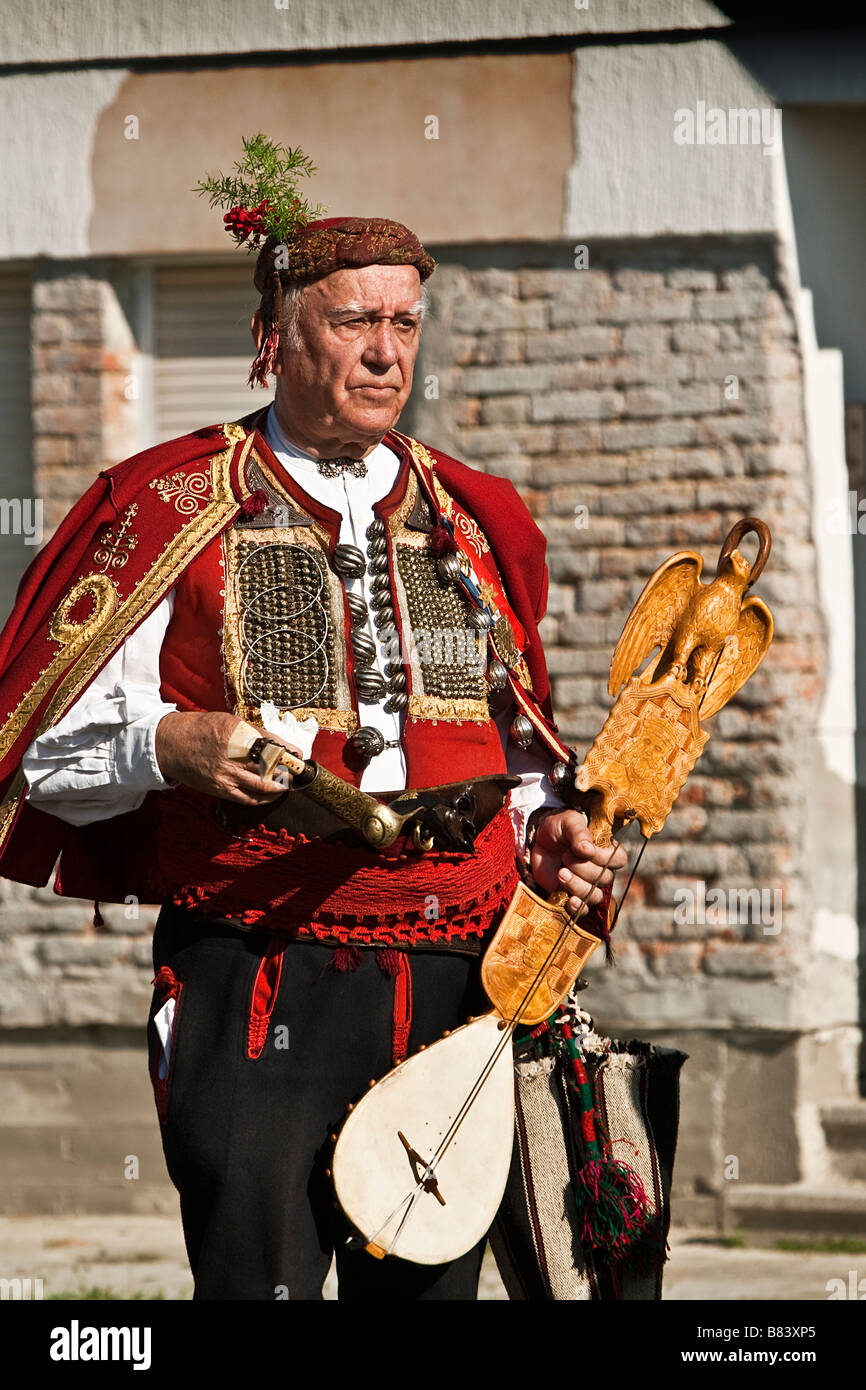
(191, 749)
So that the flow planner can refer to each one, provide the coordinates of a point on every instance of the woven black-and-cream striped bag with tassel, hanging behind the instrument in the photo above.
(541, 1236)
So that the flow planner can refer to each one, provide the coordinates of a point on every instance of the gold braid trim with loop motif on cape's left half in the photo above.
(109, 626)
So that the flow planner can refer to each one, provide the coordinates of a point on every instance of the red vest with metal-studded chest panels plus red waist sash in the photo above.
(265, 615)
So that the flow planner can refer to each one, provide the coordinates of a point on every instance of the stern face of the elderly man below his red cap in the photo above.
(345, 386)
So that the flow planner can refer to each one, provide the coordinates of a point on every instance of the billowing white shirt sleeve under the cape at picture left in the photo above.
(99, 761)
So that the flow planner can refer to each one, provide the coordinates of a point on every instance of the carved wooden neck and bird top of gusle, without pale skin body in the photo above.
(637, 767)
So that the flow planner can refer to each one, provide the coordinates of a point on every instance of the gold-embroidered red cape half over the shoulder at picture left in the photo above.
(38, 680)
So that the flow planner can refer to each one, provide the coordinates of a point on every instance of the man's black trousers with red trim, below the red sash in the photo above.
(247, 1140)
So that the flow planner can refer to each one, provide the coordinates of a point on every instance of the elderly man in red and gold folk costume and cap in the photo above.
(295, 571)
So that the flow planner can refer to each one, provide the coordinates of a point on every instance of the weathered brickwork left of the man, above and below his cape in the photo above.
(58, 971)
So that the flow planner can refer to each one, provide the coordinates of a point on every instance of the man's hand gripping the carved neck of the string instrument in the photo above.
(566, 857)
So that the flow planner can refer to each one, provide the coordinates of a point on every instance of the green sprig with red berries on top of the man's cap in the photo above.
(262, 197)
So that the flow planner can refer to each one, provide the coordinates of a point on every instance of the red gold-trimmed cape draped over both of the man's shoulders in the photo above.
(88, 590)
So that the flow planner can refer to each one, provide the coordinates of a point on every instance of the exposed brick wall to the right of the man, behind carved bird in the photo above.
(605, 390)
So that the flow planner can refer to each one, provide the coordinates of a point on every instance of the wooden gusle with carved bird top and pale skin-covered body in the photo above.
(422, 1161)
